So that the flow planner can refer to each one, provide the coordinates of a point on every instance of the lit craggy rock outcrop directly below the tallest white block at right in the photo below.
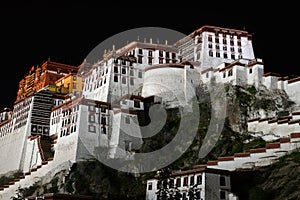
(249, 102)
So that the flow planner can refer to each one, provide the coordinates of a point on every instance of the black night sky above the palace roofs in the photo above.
(30, 33)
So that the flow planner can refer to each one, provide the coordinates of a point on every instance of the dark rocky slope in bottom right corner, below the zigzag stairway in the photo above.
(277, 182)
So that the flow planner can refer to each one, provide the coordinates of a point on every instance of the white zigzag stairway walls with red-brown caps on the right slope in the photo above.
(285, 130)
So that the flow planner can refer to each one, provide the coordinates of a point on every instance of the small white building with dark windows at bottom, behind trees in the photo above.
(201, 182)
